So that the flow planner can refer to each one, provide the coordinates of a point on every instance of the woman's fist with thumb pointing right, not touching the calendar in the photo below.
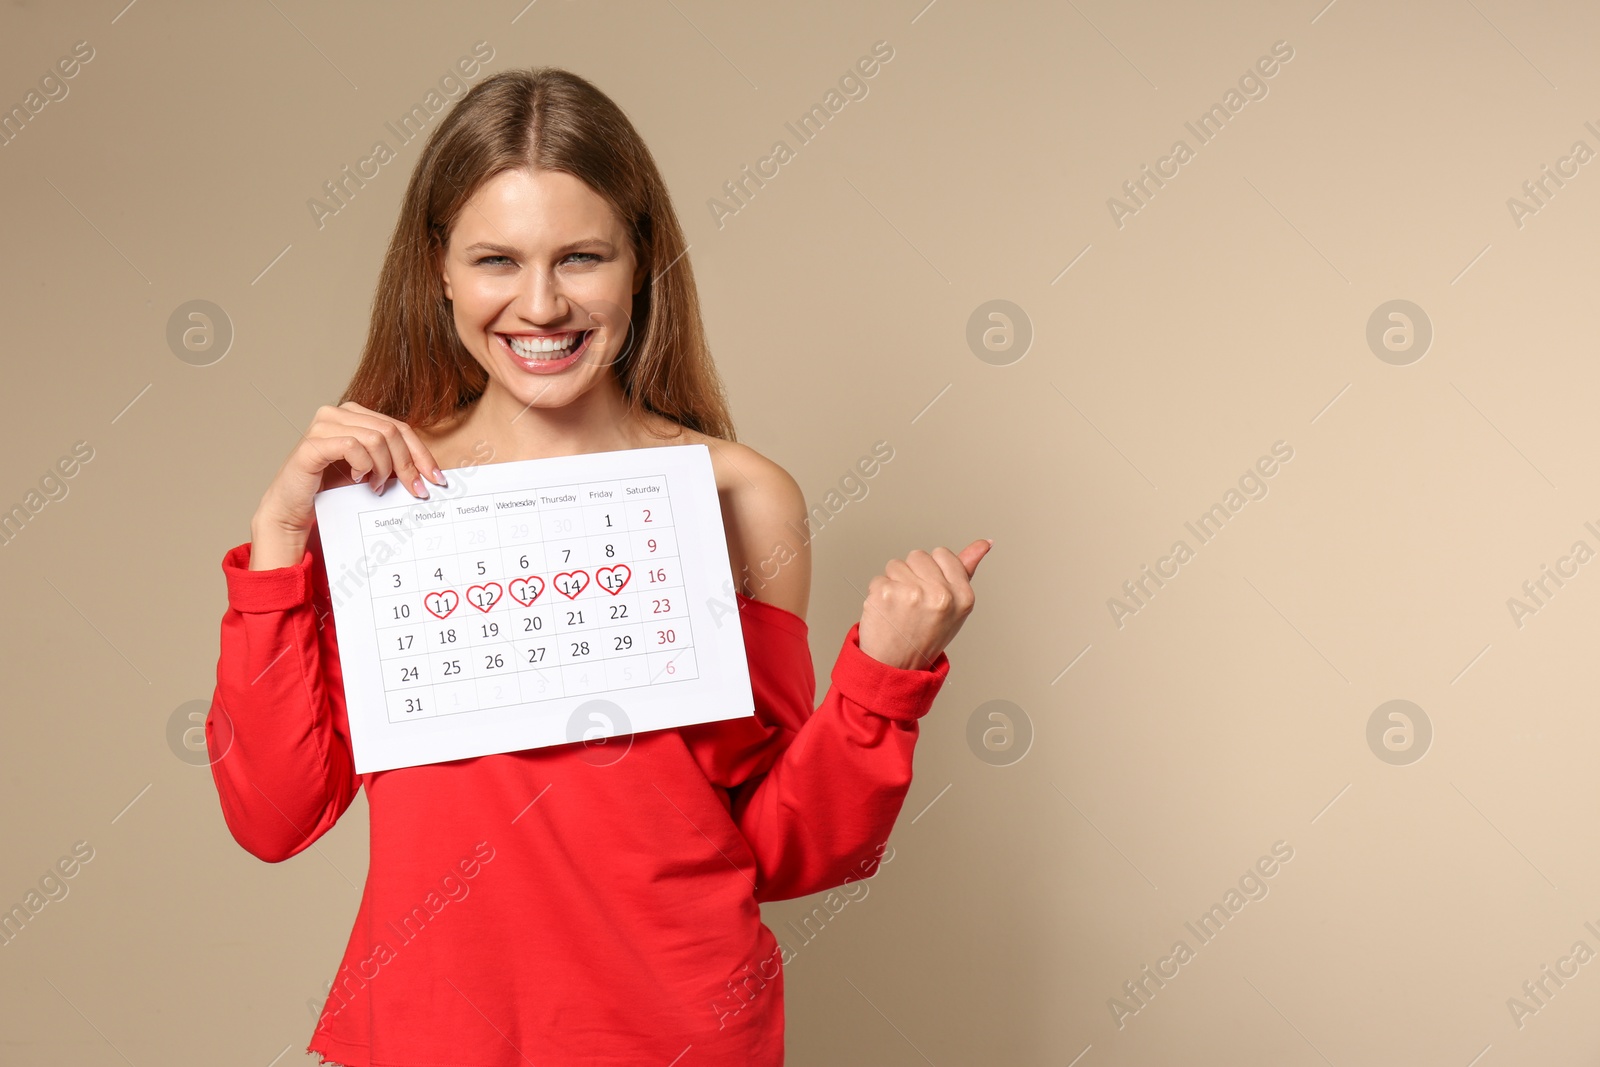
(918, 605)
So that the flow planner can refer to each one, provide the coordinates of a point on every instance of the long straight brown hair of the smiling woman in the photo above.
(415, 367)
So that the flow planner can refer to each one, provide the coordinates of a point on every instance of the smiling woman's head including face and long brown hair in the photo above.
(561, 238)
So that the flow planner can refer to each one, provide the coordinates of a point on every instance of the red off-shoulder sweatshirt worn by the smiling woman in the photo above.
(575, 905)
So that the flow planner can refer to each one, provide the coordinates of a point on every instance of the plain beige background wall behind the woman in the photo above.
(1228, 314)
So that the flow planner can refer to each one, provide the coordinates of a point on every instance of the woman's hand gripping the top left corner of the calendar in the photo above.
(343, 447)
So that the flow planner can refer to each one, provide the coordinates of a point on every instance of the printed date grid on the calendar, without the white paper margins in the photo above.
(511, 599)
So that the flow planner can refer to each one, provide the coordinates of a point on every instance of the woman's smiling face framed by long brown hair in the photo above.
(542, 279)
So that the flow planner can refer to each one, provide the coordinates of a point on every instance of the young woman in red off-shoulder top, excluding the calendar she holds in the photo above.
(545, 906)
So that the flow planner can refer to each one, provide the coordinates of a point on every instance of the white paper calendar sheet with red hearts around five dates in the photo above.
(534, 604)
